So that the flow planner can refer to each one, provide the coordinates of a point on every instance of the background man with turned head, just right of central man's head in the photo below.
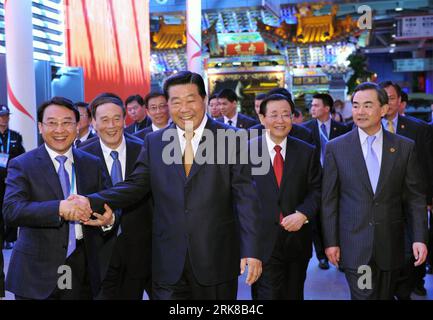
(228, 103)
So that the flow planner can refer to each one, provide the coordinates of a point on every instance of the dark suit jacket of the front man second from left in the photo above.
(136, 220)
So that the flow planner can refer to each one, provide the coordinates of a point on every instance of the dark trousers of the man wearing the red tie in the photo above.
(283, 275)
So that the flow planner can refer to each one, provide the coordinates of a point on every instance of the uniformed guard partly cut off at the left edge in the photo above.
(11, 146)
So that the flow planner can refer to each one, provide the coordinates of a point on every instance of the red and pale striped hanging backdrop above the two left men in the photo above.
(110, 40)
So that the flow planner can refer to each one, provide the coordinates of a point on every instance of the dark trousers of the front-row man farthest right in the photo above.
(383, 283)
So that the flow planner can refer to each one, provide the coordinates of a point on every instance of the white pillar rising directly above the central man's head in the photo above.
(193, 31)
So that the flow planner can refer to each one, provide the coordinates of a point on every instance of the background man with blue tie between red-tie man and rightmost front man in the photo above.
(323, 129)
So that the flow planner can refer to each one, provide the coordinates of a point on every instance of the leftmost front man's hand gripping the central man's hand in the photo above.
(75, 208)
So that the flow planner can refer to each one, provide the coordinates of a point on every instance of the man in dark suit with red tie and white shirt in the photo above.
(290, 197)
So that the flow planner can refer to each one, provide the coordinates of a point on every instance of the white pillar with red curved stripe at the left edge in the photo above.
(20, 70)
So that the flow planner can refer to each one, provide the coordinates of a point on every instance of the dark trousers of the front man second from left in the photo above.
(119, 284)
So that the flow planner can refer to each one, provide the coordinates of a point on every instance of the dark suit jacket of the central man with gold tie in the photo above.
(212, 214)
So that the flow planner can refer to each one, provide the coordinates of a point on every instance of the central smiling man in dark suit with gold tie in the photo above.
(196, 248)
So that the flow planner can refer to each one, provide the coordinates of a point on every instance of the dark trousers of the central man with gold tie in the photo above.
(188, 288)
